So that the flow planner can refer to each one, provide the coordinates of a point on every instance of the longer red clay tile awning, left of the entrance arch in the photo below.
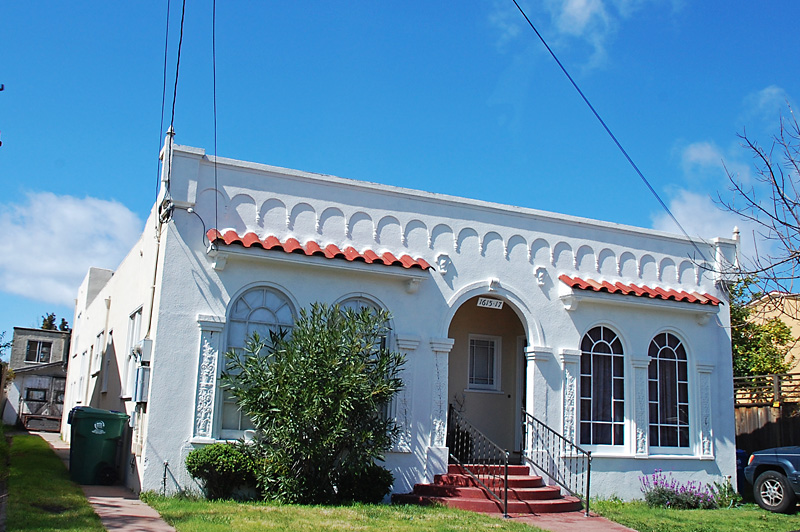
(330, 251)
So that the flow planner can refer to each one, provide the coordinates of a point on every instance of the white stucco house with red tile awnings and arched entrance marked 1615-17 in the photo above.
(617, 337)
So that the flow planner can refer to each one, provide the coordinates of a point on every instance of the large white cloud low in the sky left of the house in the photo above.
(51, 241)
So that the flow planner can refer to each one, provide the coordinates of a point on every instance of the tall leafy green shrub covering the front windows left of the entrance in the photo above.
(315, 396)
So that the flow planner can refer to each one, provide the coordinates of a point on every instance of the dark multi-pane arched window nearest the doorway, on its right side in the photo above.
(602, 406)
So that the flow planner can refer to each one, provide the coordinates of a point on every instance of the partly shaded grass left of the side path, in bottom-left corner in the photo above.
(41, 495)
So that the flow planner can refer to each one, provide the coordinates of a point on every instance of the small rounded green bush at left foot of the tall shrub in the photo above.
(222, 468)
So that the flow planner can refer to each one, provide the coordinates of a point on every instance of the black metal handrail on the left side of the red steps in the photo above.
(479, 457)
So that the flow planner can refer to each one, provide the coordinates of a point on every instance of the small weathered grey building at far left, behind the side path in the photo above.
(36, 395)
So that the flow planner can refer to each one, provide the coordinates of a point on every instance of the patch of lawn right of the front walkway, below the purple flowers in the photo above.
(749, 518)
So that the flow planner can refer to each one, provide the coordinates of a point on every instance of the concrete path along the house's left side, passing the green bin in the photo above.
(120, 510)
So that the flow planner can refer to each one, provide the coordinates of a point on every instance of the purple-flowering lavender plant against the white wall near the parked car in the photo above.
(663, 490)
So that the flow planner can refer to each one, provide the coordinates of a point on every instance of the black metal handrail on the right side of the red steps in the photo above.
(552, 454)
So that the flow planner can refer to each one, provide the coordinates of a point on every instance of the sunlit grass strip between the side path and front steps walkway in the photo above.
(192, 515)
